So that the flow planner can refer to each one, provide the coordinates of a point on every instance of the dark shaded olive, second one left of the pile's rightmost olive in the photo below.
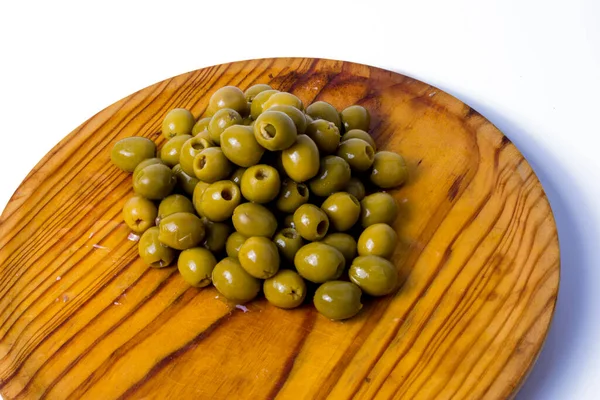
(334, 174)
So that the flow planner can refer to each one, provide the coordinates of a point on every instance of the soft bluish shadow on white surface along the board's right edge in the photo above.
(559, 351)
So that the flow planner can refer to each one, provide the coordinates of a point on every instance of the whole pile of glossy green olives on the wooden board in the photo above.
(261, 194)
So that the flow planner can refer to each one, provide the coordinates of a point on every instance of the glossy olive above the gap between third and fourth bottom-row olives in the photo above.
(259, 257)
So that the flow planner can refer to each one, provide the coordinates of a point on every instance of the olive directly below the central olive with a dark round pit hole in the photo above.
(251, 219)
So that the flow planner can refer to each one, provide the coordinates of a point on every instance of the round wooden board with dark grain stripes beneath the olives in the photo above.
(81, 316)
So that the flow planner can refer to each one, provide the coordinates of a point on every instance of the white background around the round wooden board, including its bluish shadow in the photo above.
(532, 67)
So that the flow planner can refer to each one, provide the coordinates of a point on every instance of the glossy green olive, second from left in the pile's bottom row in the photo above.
(196, 265)
